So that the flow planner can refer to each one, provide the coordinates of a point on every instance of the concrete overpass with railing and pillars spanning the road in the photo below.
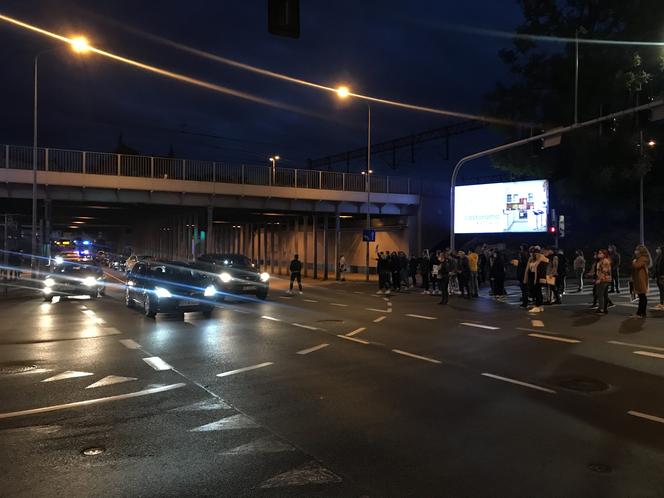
(267, 214)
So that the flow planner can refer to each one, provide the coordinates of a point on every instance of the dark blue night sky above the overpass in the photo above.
(380, 48)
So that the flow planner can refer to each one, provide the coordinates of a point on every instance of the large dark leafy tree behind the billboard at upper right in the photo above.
(593, 165)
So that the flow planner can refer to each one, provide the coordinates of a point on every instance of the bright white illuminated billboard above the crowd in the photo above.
(515, 207)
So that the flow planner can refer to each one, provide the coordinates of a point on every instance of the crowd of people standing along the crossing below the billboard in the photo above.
(540, 271)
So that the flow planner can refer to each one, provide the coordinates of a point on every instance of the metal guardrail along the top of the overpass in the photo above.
(103, 163)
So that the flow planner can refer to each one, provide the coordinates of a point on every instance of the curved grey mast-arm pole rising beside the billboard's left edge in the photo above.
(542, 136)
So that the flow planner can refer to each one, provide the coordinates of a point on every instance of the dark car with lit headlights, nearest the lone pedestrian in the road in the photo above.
(235, 274)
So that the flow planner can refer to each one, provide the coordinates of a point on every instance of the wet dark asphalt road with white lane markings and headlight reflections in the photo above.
(336, 392)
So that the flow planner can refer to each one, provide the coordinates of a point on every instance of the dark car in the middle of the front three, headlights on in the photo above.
(169, 287)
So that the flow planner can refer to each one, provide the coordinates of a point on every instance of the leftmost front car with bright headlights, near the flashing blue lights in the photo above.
(72, 275)
